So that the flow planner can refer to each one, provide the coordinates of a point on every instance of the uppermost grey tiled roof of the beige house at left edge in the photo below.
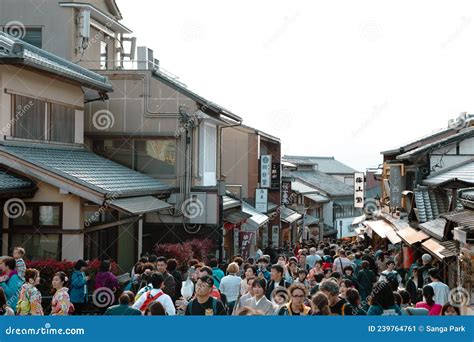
(18, 51)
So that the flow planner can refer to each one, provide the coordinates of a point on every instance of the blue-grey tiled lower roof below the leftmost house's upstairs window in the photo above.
(88, 169)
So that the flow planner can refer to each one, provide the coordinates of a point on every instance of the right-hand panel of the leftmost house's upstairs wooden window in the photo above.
(61, 123)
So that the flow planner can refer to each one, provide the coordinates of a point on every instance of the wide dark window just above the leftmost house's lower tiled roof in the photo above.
(155, 157)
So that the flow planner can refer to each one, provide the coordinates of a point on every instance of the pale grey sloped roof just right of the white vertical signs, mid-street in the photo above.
(321, 181)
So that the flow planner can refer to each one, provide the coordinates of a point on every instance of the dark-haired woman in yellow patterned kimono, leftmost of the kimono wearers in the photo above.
(29, 302)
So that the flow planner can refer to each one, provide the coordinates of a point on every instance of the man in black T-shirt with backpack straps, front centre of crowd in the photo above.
(203, 304)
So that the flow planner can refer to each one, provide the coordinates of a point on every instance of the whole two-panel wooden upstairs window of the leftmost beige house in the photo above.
(30, 117)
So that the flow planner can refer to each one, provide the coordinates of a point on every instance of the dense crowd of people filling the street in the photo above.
(326, 278)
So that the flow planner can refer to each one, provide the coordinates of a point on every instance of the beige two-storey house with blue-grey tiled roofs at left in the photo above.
(63, 201)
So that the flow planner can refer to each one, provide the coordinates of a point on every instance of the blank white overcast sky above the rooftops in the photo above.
(329, 78)
